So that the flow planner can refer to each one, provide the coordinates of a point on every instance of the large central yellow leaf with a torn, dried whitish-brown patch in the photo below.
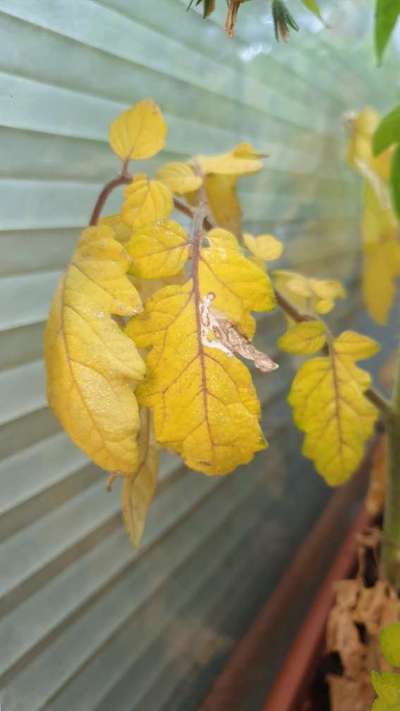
(204, 403)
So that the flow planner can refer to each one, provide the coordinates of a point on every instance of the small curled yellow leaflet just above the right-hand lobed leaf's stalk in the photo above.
(313, 296)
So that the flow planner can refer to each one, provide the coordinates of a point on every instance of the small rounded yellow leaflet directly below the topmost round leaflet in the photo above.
(146, 201)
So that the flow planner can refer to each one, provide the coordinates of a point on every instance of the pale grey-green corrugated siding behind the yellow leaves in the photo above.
(85, 622)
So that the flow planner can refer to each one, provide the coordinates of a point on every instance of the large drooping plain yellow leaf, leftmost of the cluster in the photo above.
(92, 366)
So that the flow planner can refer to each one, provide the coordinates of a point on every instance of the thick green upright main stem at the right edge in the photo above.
(391, 525)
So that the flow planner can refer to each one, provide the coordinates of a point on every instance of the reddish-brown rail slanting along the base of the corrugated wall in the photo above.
(288, 691)
